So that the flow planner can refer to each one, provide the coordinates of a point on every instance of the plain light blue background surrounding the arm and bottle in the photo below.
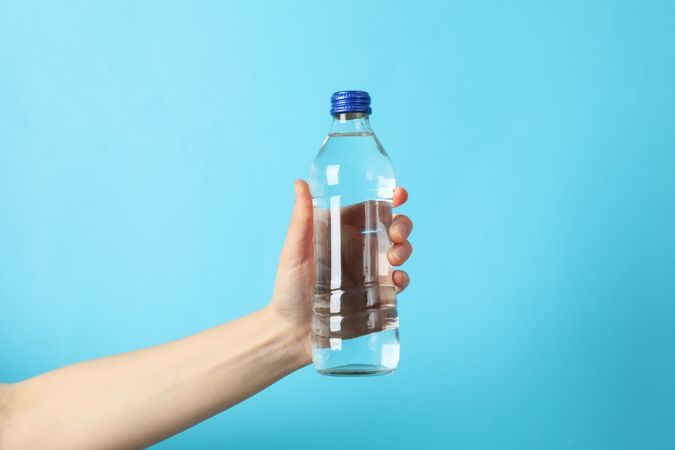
(147, 151)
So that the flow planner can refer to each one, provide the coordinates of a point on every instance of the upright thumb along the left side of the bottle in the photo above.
(299, 237)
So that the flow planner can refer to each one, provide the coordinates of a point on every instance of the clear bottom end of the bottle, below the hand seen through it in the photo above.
(372, 354)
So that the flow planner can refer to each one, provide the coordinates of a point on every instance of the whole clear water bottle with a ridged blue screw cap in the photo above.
(352, 180)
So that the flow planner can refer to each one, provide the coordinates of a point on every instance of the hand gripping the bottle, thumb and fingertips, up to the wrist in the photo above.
(294, 286)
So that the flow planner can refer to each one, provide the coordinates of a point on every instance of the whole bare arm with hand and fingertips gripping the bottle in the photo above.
(139, 398)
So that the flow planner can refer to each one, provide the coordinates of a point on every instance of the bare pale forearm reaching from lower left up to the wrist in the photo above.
(135, 399)
